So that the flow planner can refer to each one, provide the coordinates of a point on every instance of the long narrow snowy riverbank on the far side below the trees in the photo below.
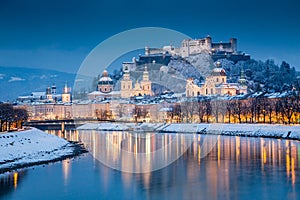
(247, 130)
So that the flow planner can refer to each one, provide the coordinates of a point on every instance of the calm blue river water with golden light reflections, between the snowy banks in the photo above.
(234, 168)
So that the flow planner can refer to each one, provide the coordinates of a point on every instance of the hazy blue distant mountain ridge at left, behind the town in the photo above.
(16, 81)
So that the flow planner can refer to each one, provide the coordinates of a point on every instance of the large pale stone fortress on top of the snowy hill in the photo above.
(189, 47)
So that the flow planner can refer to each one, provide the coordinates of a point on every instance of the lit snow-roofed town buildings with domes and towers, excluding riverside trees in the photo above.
(135, 98)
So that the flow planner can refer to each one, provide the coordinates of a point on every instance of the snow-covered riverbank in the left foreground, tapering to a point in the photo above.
(34, 147)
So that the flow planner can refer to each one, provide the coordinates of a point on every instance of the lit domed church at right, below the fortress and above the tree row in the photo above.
(216, 84)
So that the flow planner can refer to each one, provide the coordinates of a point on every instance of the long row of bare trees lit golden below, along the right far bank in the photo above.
(285, 110)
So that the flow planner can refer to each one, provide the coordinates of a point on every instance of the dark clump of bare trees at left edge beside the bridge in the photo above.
(11, 117)
